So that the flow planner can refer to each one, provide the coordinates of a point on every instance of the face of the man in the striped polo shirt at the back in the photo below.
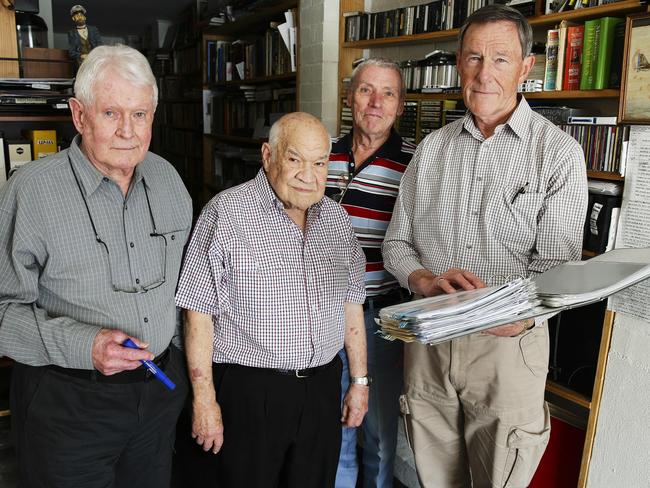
(375, 101)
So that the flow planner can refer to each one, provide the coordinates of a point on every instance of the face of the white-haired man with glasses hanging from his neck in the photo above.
(116, 128)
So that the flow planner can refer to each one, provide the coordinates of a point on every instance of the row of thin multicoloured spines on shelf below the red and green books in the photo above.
(604, 145)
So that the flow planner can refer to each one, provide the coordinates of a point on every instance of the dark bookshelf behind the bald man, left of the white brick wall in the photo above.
(247, 82)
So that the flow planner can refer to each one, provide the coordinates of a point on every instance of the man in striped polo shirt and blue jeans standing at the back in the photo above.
(365, 170)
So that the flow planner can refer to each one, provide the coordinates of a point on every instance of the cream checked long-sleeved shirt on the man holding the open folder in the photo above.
(512, 204)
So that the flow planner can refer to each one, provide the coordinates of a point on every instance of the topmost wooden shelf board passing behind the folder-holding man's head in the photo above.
(615, 9)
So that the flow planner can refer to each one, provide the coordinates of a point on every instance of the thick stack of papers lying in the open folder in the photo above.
(443, 317)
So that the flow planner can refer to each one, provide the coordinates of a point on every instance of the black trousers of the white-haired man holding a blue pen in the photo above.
(78, 433)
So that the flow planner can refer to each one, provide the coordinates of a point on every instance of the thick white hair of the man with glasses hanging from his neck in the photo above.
(124, 60)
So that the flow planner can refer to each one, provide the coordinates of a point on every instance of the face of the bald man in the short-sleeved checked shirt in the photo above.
(298, 170)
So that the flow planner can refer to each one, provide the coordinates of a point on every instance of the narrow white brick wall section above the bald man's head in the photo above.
(319, 54)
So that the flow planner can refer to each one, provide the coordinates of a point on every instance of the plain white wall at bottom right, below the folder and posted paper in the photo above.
(620, 454)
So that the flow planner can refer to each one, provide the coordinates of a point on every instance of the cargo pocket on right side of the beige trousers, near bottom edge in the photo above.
(525, 446)
